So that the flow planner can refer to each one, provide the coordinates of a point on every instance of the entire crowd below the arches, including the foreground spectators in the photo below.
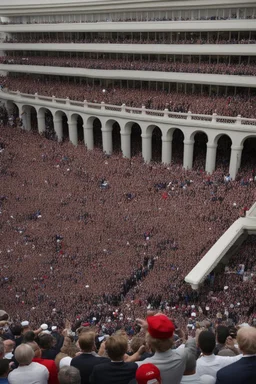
(90, 243)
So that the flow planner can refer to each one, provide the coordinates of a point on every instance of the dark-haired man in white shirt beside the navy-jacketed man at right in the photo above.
(208, 363)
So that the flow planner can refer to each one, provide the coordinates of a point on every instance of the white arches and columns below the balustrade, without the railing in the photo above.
(147, 129)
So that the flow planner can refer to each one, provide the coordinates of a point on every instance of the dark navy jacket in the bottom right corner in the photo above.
(241, 372)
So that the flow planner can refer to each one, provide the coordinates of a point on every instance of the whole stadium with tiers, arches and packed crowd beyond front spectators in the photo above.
(128, 166)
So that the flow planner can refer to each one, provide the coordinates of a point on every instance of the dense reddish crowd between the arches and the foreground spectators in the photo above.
(108, 265)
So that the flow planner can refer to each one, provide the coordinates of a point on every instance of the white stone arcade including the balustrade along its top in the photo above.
(237, 129)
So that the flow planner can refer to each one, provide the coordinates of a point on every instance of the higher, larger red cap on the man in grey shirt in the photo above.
(160, 327)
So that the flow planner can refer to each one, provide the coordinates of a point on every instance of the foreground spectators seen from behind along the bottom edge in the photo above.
(47, 356)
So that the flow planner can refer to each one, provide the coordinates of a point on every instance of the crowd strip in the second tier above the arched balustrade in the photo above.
(138, 65)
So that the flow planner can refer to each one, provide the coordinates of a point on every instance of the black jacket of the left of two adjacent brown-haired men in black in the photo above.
(85, 363)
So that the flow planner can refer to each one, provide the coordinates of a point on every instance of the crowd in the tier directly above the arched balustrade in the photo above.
(240, 104)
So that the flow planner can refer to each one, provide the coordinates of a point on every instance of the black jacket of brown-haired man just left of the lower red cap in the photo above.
(113, 373)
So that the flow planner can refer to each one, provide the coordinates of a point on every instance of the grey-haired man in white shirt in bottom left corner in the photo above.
(27, 372)
